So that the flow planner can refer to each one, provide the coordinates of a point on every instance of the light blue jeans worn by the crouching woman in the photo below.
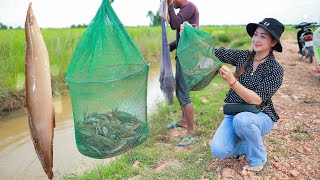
(242, 134)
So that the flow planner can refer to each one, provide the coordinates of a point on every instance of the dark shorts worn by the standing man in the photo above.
(182, 90)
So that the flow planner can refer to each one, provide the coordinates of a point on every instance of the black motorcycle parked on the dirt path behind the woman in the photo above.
(305, 39)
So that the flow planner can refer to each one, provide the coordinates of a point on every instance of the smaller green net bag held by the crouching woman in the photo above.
(196, 55)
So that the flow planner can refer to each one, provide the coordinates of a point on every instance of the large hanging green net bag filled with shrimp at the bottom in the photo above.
(107, 79)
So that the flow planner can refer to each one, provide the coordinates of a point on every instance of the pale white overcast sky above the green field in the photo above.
(64, 13)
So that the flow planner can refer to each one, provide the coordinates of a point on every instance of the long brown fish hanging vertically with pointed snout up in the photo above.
(39, 93)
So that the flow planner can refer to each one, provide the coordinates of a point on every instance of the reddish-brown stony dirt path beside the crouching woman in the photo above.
(293, 145)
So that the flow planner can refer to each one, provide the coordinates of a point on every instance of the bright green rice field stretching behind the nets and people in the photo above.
(61, 44)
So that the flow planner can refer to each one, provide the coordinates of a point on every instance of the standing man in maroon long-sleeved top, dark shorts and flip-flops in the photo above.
(188, 12)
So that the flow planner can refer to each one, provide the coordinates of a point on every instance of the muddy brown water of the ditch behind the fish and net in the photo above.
(18, 159)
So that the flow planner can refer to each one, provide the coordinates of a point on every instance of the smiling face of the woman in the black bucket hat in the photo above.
(262, 41)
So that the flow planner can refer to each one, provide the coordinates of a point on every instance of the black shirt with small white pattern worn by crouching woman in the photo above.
(265, 81)
